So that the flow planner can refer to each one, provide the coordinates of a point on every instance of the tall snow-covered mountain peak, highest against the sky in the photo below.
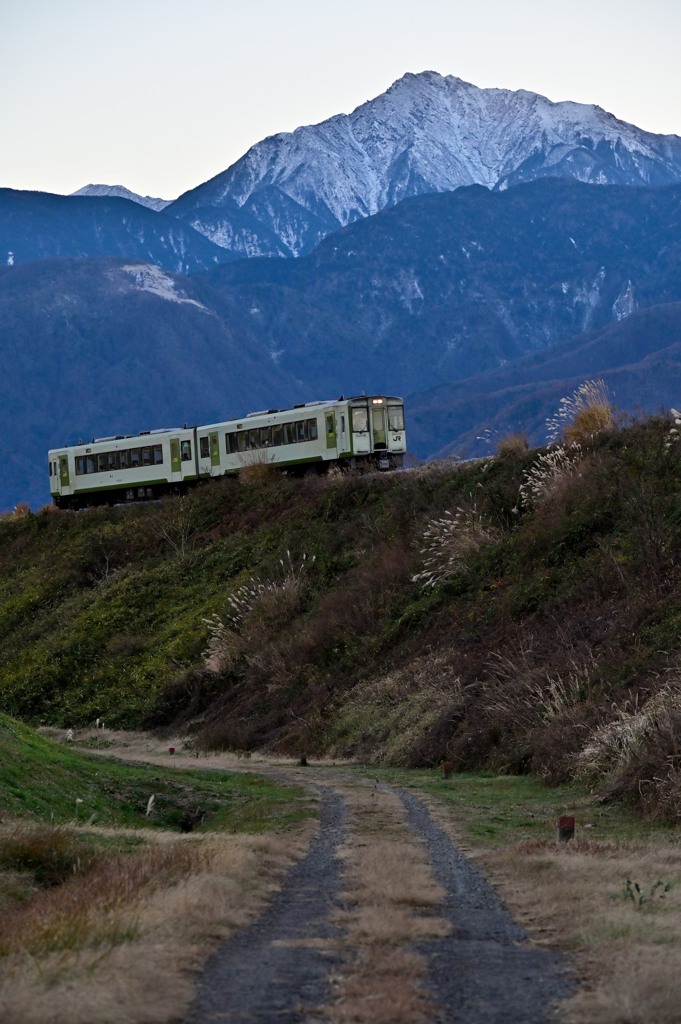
(427, 134)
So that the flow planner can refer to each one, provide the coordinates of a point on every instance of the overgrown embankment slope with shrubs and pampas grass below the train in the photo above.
(548, 646)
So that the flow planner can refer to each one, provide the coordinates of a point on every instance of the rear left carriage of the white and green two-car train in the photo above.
(135, 467)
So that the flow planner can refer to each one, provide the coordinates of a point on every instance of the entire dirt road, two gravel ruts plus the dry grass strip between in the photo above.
(384, 921)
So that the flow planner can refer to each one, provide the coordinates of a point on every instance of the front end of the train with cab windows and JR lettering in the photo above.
(377, 424)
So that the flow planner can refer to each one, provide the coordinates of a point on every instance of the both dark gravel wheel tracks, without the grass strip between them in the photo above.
(279, 970)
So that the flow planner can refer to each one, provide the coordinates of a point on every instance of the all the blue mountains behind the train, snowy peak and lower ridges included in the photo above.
(455, 245)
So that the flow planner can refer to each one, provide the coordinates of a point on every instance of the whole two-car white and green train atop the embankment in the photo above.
(365, 431)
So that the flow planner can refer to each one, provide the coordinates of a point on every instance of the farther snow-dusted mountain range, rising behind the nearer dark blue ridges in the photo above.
(428, 134)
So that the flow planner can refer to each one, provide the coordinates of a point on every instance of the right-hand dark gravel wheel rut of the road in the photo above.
(485, 972)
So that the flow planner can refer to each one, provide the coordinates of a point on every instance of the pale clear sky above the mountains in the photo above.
(160, 96)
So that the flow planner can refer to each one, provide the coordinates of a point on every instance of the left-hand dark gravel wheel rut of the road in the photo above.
(277, 971)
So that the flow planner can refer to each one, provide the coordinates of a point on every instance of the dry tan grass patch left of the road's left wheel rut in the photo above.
(119, 946)
